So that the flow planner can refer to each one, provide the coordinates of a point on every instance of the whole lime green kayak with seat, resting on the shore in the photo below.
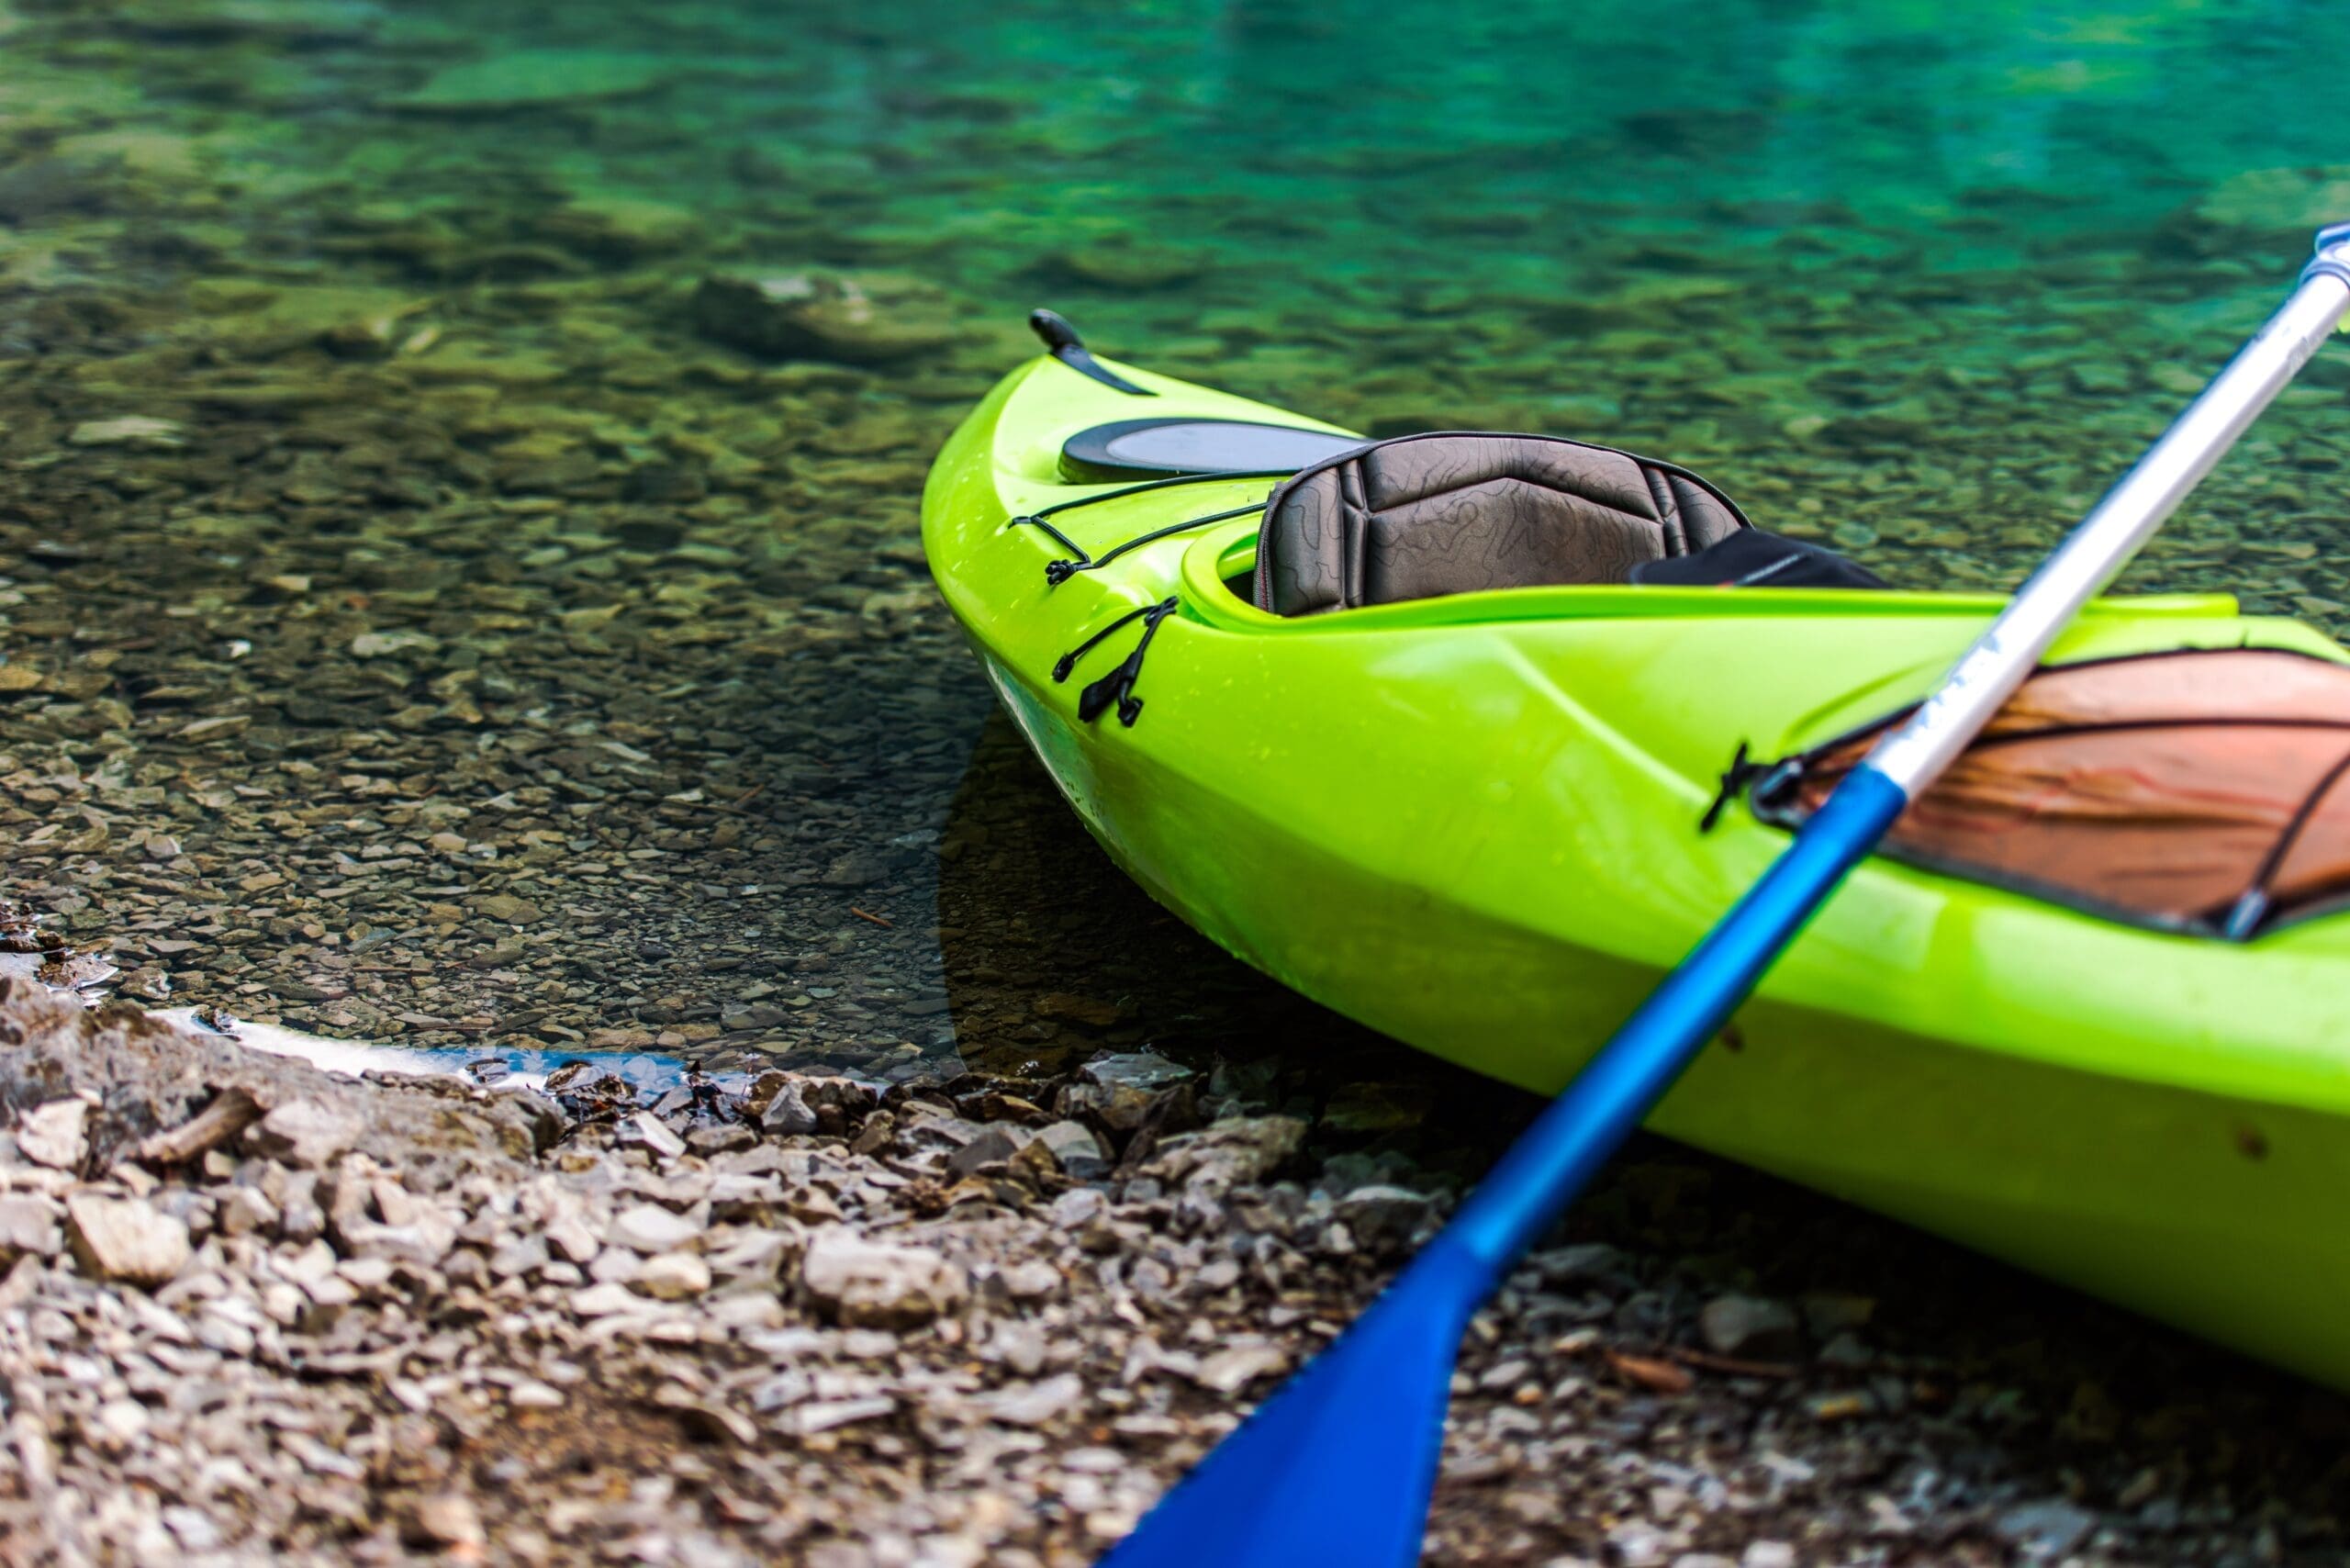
(1484, 815)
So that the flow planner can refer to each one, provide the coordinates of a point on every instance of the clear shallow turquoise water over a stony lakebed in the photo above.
(424, 624)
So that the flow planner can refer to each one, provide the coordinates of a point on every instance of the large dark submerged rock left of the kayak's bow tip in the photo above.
(824, 316)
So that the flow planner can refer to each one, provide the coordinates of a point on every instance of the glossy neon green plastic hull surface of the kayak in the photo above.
(1472, 824)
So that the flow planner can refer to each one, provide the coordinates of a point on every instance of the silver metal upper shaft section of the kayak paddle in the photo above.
(2104, 542)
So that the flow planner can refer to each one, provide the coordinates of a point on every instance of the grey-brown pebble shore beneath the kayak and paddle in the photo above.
(262, 1313)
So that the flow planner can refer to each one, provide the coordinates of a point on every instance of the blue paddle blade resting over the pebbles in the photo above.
(1336, 1468)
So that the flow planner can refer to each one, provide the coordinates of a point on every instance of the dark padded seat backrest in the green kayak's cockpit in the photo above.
(1428, 516)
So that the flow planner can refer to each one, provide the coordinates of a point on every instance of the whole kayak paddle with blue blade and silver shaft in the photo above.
(1336, 1468)
